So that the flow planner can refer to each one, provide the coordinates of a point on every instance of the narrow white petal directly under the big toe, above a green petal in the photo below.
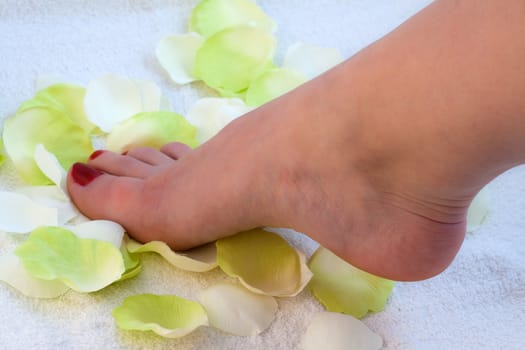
(102, 230)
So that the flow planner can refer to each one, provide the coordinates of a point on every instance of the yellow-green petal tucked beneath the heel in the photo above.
(340, 287)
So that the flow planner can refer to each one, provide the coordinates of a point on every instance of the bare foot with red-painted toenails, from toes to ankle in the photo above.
(287, 165)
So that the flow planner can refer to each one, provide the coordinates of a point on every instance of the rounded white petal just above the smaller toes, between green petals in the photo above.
(111, 99)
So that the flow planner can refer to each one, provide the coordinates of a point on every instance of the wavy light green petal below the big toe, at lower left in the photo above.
(85, 265)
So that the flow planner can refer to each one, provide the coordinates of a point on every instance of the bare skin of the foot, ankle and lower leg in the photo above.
(377, 159)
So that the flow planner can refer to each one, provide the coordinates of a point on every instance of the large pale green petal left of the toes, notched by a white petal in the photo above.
(52, 128)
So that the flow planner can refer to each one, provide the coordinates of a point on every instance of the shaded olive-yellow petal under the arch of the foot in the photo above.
(262, 261)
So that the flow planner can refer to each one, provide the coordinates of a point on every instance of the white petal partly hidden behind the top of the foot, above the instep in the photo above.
(211, 114)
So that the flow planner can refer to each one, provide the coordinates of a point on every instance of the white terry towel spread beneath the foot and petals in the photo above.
(478, 303)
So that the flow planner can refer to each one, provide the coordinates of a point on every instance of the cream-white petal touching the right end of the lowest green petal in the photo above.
(233, 309)
